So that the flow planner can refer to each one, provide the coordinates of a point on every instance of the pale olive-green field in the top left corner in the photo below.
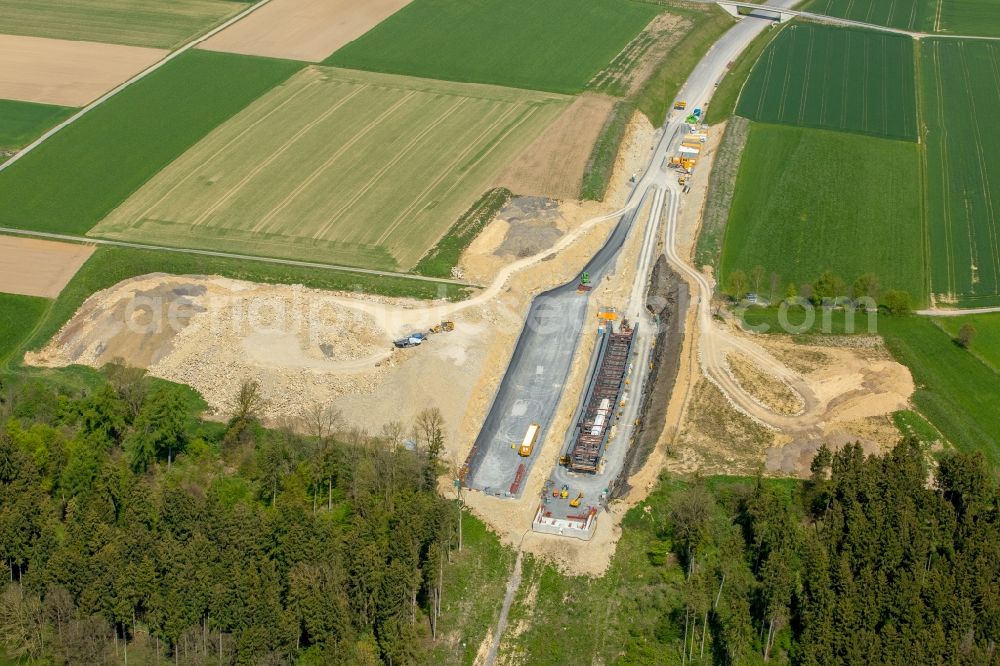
(133, 22)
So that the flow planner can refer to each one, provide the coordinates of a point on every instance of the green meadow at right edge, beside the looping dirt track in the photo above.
(956, 391)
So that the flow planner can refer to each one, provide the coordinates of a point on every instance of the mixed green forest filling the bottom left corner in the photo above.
(131, 531)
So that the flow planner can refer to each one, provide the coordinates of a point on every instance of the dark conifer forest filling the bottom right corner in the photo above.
(876, 560)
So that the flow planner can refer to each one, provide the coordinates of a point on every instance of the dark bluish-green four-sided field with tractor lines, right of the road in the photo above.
(835, 78)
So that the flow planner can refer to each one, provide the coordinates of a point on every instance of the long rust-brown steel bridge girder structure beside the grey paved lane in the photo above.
(594, 427)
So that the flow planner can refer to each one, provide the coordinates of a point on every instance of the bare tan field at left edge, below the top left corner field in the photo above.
(57, 71)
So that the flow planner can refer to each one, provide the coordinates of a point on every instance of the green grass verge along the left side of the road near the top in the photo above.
(658, 93)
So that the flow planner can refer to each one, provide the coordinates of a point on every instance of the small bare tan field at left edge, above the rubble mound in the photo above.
(33, 267)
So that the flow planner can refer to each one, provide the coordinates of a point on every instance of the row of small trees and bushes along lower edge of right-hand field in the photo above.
(827, 286)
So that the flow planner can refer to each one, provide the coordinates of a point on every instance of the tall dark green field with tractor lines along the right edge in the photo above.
(961, 110)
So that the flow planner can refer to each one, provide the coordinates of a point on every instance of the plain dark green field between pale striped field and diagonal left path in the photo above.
(73, 180)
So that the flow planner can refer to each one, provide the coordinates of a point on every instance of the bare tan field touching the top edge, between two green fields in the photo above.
(307, 30)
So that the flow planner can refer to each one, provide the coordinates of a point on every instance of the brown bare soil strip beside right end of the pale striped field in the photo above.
(553, 165)
